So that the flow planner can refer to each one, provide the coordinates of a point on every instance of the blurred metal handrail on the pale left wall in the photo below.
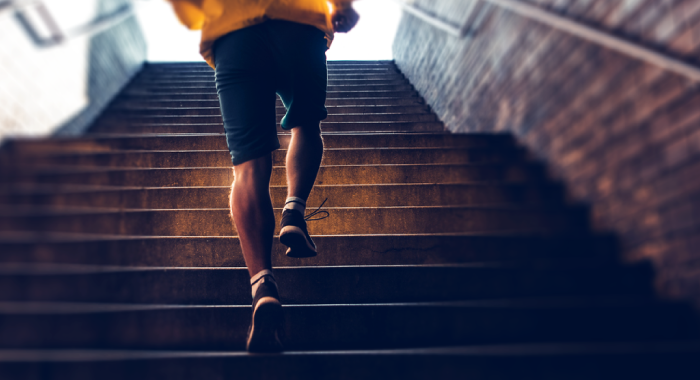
(58, 36)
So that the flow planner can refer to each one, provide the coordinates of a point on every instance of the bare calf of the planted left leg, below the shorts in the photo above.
(251, 211)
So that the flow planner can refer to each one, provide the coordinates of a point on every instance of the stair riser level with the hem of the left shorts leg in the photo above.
(222, 158)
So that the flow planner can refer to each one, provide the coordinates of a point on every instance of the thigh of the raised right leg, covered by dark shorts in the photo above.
(301, 56)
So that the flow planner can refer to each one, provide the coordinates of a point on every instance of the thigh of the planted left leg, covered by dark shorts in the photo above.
(245, 84)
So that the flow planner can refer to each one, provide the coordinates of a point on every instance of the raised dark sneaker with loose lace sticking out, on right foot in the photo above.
(293, 232)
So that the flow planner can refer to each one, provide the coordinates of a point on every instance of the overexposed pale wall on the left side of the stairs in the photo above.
(63, 88)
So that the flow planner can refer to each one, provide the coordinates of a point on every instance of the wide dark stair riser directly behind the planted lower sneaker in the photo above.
(335, 327)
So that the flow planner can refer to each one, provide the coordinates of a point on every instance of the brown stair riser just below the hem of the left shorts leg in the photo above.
(328, 175)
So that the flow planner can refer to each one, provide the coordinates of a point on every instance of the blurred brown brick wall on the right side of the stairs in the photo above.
(623, 134)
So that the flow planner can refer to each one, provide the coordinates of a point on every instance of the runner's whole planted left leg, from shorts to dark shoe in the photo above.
(246, 90)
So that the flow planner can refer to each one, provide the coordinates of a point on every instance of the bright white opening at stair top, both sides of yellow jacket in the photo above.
(370, 40)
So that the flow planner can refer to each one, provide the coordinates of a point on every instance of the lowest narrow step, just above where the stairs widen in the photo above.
(381, 127)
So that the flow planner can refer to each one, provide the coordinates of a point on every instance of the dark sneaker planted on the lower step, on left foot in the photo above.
(263, 333)
